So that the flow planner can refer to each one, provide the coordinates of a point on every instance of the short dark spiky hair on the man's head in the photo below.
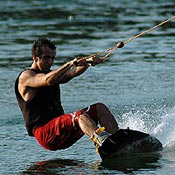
(39, 44)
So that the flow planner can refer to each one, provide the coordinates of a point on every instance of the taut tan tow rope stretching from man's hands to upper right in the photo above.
(121, 44)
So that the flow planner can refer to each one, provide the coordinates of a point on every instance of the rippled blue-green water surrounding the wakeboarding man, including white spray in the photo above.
(136, 82)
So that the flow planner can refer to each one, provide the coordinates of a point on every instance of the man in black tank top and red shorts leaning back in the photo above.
(38, 94)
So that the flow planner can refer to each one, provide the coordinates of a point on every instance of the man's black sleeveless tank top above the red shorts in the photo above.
(42, 108)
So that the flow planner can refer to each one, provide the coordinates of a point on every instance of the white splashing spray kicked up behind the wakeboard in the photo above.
(160, 126)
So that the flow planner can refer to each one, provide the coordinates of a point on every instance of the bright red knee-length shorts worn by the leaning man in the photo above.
(63, 131)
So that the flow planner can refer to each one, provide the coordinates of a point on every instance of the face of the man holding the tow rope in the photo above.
(46, 59)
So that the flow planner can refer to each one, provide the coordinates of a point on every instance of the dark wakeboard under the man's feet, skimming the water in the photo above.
(127, 141)
